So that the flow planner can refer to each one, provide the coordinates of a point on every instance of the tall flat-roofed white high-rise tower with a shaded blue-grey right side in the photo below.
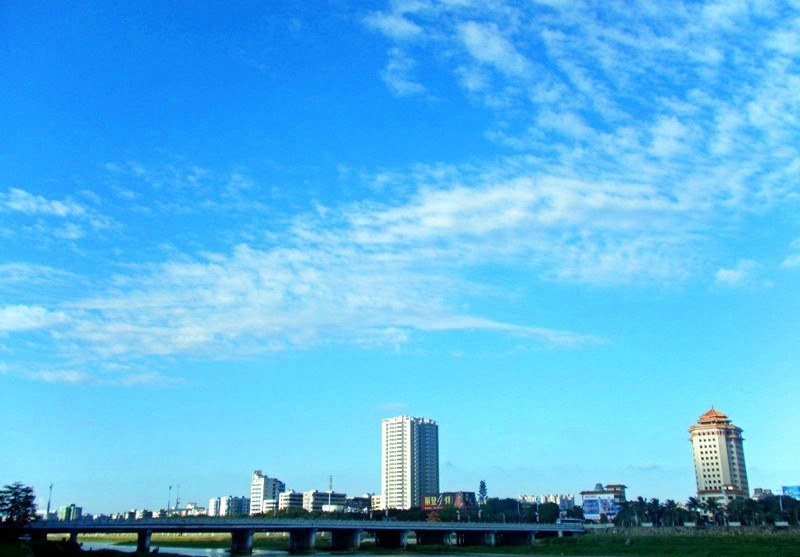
(409, 461)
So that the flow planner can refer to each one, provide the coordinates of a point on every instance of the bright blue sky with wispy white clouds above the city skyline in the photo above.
(236, 237)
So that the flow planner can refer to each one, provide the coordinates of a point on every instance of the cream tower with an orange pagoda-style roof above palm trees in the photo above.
(719, 466)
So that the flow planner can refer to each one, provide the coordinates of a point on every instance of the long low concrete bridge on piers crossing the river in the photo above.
(345, 534)
